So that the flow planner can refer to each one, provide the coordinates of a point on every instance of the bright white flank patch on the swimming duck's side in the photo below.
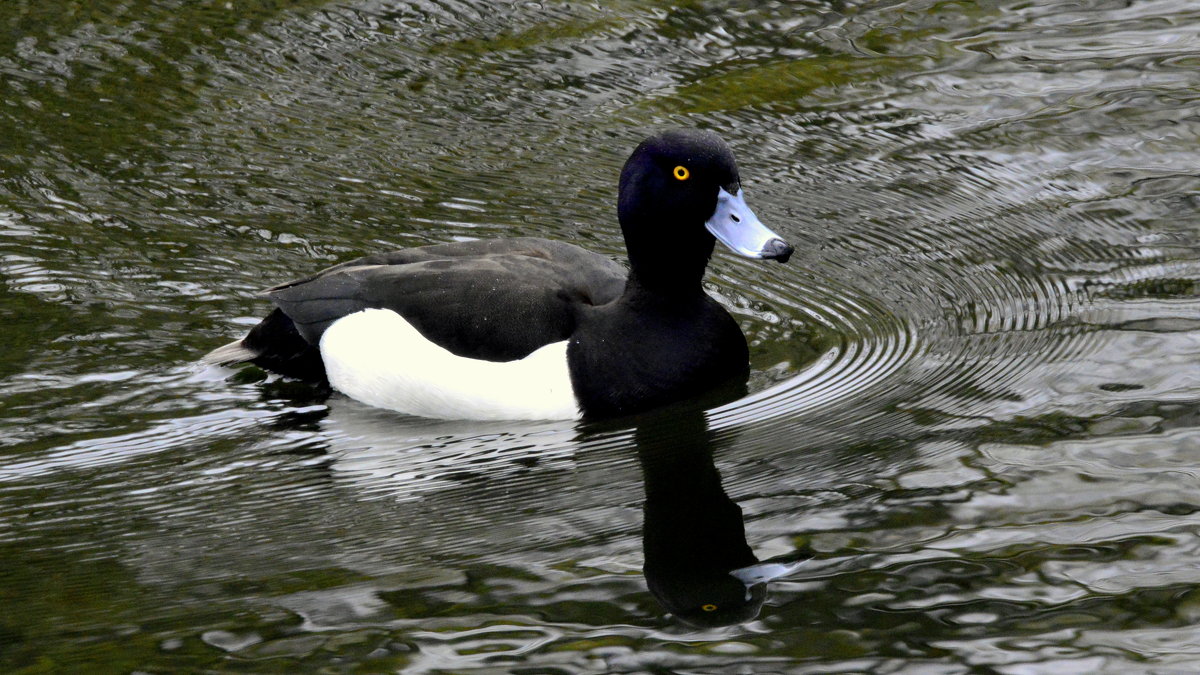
(377, 357)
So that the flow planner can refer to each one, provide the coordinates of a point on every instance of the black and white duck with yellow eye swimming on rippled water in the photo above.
(532, 328)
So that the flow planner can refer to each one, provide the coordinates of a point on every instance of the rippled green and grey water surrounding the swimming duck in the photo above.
(971, 441)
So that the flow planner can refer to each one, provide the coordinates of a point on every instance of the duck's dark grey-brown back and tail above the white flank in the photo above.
(497, 301)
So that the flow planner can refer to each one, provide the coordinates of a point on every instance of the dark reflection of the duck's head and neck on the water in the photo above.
(697, 559)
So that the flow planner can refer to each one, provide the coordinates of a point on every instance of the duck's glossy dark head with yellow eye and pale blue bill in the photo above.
(681, 193)
